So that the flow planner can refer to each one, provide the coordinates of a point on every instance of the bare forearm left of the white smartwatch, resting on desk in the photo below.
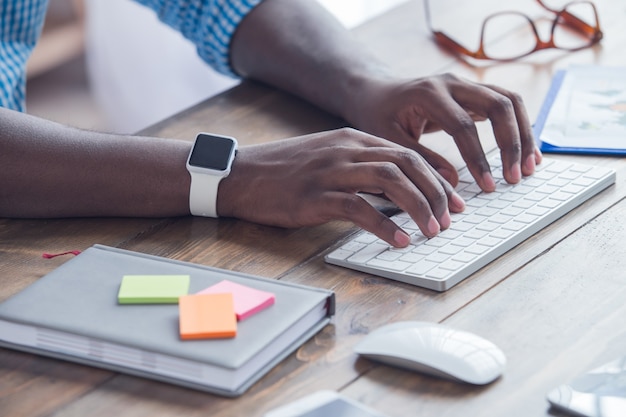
(49, 170)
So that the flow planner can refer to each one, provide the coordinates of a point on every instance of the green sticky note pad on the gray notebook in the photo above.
(152, 289)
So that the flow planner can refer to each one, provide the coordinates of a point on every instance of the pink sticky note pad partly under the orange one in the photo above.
(248, 301)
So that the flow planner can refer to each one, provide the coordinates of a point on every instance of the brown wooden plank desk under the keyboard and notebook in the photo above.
(555, 304)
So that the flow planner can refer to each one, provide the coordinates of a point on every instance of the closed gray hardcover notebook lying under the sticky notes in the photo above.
(72, 313)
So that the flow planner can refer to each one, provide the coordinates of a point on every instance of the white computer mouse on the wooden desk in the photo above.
(435, 349)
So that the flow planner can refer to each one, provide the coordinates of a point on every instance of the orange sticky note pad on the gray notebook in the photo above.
(207, 316)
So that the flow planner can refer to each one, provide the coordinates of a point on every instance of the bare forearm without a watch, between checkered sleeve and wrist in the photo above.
(297, 46)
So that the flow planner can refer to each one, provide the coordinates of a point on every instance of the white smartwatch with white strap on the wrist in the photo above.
(209, 162)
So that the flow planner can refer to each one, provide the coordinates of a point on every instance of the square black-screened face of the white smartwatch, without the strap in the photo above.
(212, 152)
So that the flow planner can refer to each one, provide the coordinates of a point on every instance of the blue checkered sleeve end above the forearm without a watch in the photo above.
(209, 24)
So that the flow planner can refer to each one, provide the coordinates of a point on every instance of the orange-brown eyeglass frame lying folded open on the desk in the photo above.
(593, 33)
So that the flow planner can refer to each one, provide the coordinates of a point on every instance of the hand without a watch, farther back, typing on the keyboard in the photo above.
(402, 111)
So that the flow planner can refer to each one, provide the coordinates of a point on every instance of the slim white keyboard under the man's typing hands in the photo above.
(491, 224)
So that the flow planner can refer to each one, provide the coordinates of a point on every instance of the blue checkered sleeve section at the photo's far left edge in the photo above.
(21, 22)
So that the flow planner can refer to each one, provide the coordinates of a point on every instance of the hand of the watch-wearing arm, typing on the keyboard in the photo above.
(313, 179)
